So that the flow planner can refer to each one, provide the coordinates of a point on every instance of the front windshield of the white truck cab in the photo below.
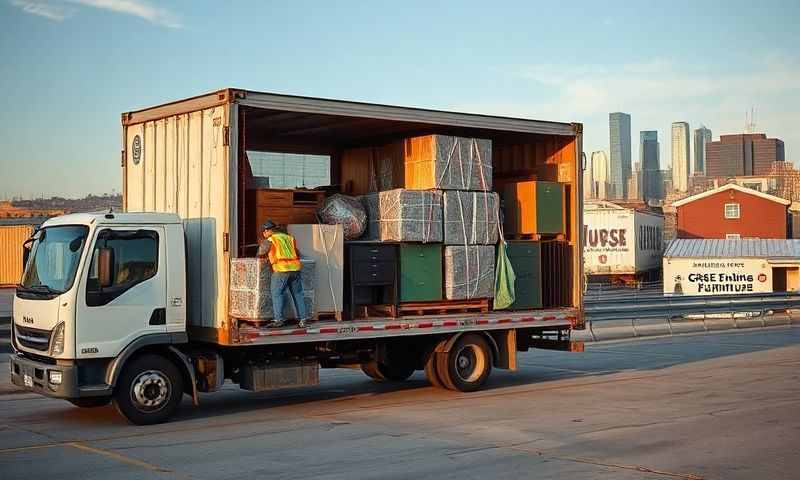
(54, 258)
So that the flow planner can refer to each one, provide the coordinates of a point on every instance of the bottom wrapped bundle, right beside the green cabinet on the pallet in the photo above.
(469, 272)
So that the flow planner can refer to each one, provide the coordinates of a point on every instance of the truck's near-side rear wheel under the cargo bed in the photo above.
(467, 365)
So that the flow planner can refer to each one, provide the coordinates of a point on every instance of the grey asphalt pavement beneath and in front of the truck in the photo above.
(722, 405)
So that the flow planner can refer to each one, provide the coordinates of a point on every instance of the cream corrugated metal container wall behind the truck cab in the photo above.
(180, 164)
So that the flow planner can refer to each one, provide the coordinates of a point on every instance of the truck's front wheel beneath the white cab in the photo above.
(149, 390)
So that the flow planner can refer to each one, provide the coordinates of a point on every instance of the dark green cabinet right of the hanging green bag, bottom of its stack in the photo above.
(526, 260)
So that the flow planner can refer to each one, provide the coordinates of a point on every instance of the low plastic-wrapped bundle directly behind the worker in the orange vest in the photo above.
(250, 293)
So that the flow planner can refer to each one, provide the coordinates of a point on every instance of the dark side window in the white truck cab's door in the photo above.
(134, 260)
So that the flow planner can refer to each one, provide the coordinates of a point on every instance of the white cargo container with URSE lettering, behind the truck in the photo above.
(621, 244)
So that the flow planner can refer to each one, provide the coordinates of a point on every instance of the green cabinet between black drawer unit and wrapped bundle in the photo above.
(420, 272)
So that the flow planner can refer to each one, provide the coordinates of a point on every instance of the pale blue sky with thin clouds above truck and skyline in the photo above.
(72, 66)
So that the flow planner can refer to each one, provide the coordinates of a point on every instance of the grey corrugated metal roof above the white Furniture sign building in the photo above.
(743, 248)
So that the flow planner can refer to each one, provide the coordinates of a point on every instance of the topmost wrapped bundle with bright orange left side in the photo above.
(448, 163)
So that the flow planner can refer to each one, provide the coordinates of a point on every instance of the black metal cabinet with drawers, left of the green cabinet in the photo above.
(372, 274)
